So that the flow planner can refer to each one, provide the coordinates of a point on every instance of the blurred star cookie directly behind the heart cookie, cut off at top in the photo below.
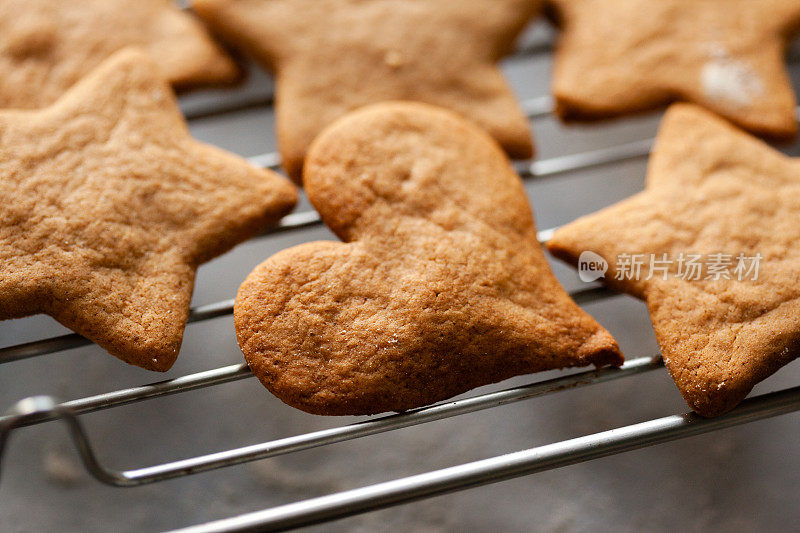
(332, 56)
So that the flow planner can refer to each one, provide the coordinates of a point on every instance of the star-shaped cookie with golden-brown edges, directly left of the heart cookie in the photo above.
(108, 206)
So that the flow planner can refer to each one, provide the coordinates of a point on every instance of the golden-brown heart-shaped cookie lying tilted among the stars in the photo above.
(439, 287)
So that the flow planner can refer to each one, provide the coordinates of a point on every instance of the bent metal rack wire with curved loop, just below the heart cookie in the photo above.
(39, 409)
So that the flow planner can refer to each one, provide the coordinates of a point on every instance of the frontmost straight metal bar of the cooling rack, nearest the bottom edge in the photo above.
(501, 468)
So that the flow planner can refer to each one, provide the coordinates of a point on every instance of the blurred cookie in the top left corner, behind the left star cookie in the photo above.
(46, 46)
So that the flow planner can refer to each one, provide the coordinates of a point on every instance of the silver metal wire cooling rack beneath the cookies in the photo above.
(42, 409)
